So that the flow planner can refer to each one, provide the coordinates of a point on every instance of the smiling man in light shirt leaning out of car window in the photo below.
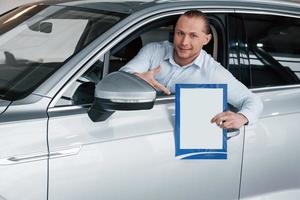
(163, 65)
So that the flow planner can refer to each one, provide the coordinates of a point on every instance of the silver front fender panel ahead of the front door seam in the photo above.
(23, 155)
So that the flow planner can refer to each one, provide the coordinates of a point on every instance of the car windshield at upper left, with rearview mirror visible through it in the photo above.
(36, 40)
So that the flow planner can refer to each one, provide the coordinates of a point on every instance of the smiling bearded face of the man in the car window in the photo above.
(189, 38)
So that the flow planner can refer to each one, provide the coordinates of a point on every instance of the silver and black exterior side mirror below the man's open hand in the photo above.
(121, 91)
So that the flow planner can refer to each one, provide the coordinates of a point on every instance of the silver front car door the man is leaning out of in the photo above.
(131, 154)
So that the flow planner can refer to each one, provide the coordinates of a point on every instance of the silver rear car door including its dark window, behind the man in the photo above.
(271, 165)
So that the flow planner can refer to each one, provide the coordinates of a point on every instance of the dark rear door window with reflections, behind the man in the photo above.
(274, 50)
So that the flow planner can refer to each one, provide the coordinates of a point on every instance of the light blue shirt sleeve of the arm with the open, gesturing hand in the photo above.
(142, 61)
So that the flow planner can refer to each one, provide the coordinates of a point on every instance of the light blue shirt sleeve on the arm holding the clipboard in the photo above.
(239, 96)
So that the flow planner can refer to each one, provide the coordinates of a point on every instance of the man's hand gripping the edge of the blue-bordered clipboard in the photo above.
(229, 119)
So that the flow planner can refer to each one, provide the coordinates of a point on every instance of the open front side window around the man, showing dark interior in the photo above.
(82, 90)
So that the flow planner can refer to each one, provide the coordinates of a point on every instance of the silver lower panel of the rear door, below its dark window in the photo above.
(270, 166)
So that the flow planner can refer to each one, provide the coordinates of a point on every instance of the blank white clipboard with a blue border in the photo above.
(195, 136)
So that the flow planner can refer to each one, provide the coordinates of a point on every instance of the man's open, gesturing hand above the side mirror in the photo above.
(149, 77)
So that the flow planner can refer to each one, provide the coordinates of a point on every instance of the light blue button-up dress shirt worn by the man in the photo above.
(204, 70)
